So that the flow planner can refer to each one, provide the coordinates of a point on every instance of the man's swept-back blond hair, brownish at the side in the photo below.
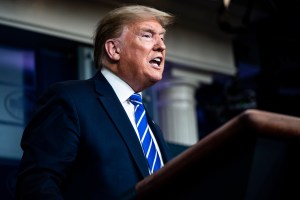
(112, 24)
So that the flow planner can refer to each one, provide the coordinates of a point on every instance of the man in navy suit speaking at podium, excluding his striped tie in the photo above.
(83, 142)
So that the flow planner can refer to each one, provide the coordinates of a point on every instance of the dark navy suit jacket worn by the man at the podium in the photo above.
(81, 145)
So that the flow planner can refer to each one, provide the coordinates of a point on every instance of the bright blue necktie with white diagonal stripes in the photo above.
(148, 145)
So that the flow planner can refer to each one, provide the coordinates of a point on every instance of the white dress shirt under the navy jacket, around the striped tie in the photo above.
(124, 91)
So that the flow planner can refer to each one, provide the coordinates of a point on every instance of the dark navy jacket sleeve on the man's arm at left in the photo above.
(50, 144)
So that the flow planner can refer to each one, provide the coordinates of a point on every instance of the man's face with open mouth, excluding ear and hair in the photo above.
(142, 54)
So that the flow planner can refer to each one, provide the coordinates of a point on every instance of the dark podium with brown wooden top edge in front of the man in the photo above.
(254, 156)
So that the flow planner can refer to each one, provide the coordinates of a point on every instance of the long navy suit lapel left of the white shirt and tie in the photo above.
(119, 117)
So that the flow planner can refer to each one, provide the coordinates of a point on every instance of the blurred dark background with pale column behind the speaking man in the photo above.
(223, 57)
